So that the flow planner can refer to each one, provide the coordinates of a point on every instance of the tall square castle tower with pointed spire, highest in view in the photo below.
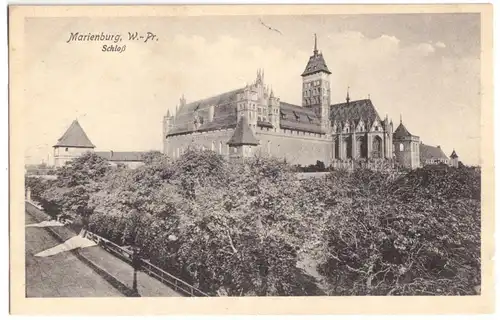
(316, 86)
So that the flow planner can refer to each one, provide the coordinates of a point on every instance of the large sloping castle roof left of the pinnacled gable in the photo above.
(224, 114)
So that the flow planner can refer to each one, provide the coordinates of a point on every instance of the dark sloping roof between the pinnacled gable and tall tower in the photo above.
(299, 118)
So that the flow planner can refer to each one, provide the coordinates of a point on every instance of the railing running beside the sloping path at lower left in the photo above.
(150, 269)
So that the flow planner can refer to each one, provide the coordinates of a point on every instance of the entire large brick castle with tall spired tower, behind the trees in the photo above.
(253, 121)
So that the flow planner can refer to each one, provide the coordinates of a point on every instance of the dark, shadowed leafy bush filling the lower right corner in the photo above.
(416, 235)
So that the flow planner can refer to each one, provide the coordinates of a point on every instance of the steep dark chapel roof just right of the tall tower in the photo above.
(353, 111)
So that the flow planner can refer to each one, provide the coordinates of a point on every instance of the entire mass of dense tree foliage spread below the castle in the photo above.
(234, 228)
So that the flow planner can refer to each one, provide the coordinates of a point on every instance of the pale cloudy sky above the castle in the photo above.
(424, 68)
